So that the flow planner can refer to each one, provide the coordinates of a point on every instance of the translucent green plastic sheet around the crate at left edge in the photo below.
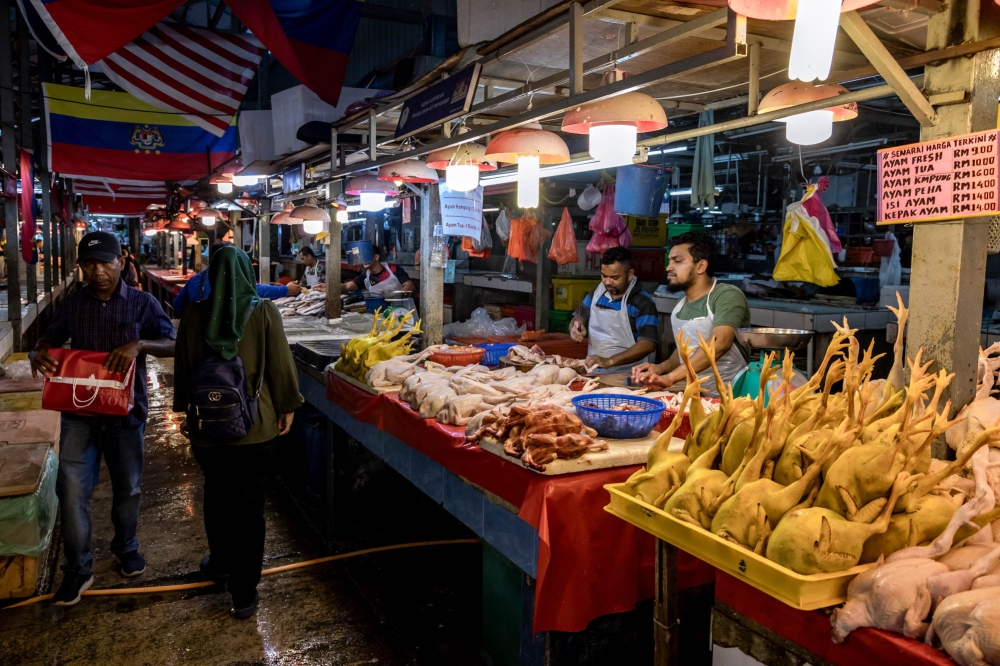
(26, 521)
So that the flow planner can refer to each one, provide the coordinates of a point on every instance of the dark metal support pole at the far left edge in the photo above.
(8, 143)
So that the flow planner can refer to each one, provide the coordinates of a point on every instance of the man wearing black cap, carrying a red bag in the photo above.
(106, 316)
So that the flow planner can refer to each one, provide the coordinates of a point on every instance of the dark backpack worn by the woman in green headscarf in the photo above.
(219, 407)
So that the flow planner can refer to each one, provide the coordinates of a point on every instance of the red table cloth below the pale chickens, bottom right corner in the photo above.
(811, 630)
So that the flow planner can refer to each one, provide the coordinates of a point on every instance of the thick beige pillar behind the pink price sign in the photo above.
(949, 258)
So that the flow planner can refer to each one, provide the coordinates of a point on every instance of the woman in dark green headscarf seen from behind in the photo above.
(233, 321)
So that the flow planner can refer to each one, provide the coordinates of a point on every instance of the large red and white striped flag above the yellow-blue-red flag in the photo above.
(196, 72)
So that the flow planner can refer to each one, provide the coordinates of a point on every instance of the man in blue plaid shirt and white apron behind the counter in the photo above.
(619, 319)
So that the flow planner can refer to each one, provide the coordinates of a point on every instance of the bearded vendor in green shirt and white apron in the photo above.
(707, 308)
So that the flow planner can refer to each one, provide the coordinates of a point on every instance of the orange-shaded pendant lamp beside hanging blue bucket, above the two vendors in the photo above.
(614, 124)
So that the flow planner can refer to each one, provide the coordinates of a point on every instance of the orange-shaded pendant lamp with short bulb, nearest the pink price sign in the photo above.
(812, 127)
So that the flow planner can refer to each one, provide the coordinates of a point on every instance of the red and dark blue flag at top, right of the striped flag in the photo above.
(311, 38)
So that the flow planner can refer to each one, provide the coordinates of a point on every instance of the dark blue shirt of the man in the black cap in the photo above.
(103, 326)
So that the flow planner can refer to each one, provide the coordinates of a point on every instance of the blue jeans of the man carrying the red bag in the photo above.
(82, 443)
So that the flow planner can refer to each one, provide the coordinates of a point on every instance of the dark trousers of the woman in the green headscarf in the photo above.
(234, 513)
